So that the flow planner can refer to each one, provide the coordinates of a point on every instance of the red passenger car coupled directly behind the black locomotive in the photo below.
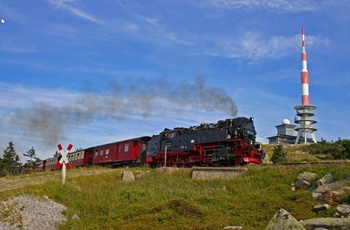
(127, 152)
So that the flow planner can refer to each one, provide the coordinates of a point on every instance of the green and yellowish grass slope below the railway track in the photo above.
(158, 201)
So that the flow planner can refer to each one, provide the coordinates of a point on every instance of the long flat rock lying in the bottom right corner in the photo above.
(327, 223)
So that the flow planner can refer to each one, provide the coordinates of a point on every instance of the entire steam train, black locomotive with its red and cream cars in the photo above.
(227, 142)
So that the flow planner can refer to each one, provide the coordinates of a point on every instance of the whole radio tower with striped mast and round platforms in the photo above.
(303, 110)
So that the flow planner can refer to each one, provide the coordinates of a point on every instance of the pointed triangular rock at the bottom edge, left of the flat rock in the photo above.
(283, 220)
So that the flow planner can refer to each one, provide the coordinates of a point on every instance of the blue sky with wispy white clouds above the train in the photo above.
(94, 72)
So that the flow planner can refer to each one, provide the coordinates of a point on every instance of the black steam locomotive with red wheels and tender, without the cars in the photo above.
(227, 142)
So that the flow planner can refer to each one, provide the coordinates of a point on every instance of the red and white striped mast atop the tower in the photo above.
(304, 74)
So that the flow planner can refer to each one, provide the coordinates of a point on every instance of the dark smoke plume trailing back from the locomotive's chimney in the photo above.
(138, 98)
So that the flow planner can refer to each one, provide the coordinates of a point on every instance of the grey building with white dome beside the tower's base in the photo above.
(285, 134)
